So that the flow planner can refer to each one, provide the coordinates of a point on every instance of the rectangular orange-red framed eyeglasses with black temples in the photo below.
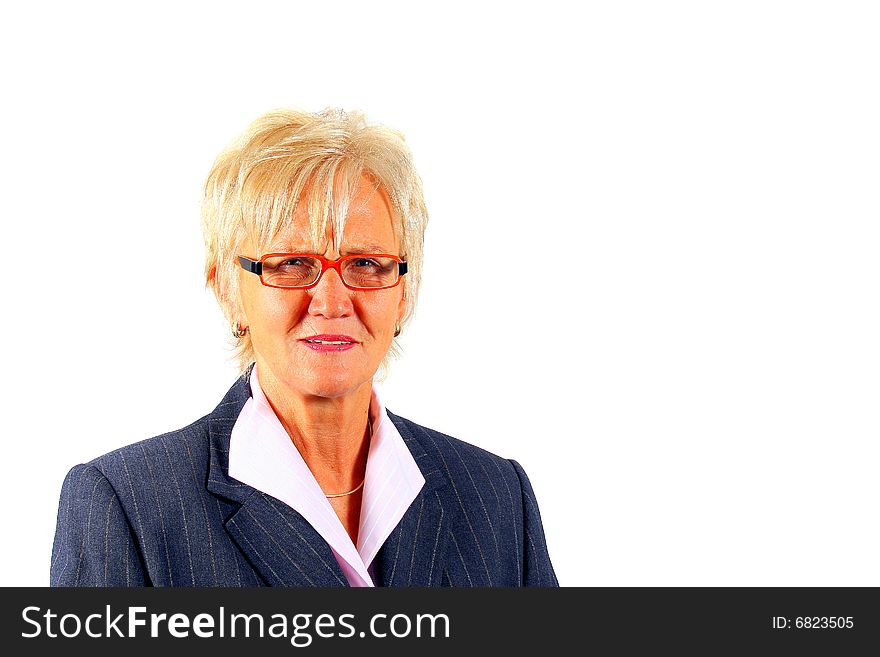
(367, 271)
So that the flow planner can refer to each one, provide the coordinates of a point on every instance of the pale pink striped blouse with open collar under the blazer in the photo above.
(263, 456)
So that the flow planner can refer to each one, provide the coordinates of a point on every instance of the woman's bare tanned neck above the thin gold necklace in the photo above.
(330, 433)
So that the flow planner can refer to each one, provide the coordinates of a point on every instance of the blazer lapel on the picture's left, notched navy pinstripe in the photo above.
(276, 540)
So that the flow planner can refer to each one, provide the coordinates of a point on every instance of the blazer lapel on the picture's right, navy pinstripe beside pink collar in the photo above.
(414, 553)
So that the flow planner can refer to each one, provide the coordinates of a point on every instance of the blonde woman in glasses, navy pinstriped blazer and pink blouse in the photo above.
(300, 477)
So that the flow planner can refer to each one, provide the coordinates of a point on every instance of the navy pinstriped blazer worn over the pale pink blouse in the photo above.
(165, 512)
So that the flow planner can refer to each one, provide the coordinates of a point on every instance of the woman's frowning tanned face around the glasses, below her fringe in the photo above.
(281, 320)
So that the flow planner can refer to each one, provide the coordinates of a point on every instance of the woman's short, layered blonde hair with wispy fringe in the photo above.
(286, 157)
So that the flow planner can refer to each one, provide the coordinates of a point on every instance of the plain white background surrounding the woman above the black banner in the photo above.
(687, 361)
